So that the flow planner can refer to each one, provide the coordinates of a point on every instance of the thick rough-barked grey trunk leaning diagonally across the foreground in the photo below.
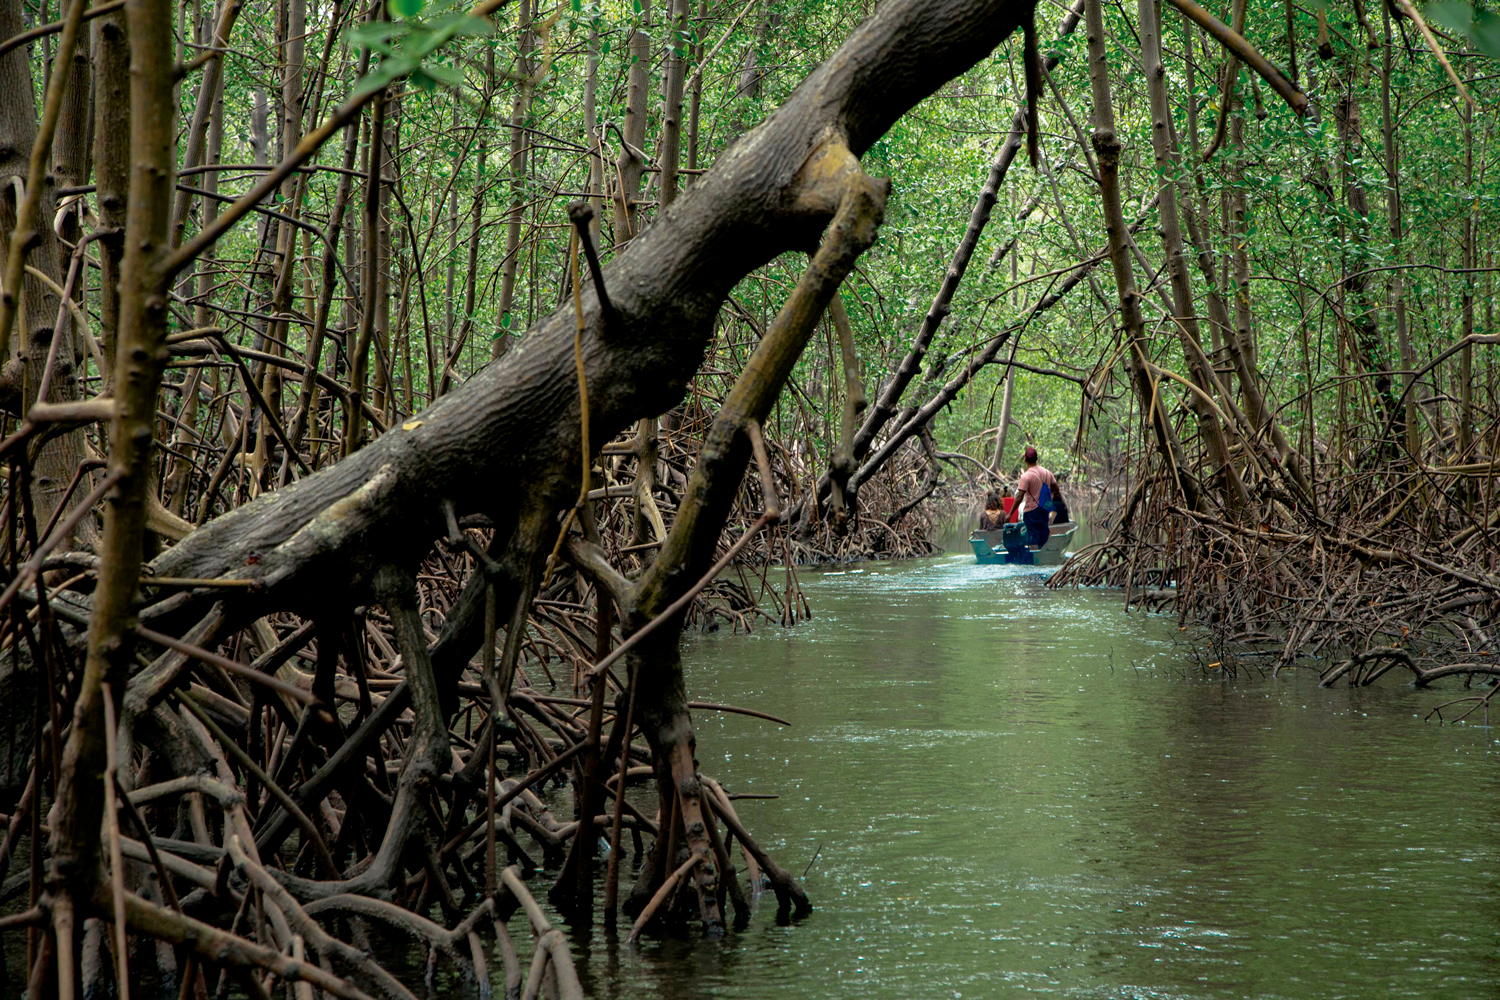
(479, 442)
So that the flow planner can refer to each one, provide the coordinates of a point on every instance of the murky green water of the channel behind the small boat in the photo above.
(1021, 791)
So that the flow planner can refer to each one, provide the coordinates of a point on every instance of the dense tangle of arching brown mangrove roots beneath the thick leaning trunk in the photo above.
(433, 819)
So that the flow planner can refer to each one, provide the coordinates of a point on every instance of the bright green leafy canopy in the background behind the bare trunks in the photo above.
(455, 82)
